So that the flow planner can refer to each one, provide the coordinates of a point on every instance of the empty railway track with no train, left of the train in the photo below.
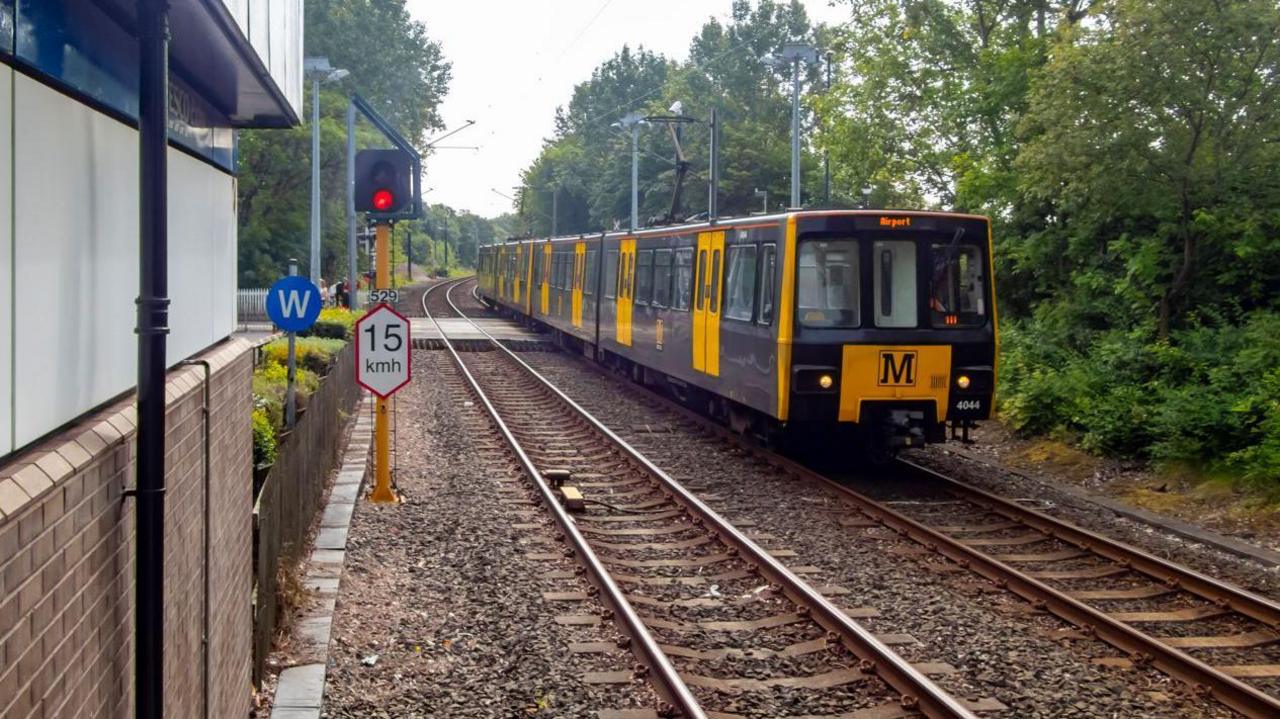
(720, 626)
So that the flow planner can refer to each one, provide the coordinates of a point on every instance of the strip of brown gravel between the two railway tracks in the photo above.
(998, 647)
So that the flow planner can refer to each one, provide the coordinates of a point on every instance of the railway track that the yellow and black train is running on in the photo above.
(1219, 639)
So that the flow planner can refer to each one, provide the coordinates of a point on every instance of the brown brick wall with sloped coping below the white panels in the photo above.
(67, 557)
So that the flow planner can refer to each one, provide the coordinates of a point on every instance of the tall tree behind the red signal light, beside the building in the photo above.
(397, 68)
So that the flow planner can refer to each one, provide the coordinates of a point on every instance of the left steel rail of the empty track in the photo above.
(668, 683)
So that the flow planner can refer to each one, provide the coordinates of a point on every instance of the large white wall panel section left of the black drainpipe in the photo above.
(76, 254)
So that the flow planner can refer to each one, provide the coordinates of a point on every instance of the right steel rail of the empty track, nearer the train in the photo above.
(917, 691)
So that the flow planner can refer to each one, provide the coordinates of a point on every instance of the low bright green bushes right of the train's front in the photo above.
(1208, 396)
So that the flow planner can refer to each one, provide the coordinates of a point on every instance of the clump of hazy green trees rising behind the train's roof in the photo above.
(587, 164)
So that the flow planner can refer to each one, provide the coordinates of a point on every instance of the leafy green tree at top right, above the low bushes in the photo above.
(1151, 141)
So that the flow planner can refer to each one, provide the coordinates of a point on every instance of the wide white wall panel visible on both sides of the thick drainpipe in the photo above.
(76, 241)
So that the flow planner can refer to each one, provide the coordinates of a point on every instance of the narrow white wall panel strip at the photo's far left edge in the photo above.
(6, 259)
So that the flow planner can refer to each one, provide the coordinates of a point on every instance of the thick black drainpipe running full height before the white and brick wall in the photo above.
(153, 329)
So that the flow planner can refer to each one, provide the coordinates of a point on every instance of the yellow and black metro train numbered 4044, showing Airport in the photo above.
(879, 326)
